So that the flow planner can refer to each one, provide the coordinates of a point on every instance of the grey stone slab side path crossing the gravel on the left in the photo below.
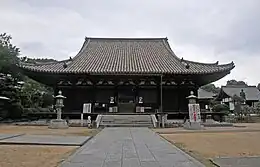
(46, 140)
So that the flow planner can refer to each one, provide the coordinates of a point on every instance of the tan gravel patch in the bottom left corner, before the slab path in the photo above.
(33, 156)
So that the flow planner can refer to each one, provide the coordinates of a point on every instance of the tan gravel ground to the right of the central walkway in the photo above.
(209, 145)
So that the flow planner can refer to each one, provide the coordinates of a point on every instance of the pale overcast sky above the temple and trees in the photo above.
(198, 30)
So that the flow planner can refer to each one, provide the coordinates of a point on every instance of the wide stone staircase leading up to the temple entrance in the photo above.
(126, 121)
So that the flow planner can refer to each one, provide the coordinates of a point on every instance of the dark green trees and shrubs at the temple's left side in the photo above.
(25, 94)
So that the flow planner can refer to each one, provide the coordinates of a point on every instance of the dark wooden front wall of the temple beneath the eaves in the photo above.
(97, 90)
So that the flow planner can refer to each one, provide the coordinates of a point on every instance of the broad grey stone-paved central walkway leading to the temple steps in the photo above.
(129, 147)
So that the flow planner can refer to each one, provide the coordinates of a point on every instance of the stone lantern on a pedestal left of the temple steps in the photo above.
(59, 123)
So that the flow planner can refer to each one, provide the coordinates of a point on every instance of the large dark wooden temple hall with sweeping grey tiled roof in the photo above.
(126, 75)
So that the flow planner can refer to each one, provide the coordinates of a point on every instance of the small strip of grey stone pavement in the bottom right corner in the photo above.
(237, 161)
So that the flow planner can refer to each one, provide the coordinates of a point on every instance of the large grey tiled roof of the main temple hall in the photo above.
(128, 56)
